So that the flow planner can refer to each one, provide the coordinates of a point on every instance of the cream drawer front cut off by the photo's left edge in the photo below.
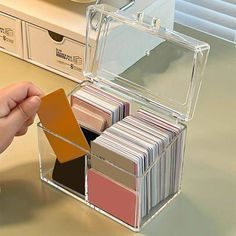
(11, 34)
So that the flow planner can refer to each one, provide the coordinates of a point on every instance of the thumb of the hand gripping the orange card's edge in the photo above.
(22, 113)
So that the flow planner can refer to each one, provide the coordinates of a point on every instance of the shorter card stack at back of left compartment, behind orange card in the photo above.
(96, 109)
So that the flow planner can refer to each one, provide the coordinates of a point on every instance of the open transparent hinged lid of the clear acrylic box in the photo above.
(135, 54)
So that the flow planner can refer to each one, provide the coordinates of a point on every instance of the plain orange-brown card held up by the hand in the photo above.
(56, 116)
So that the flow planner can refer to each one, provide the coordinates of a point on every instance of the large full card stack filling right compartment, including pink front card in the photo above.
(140, 157)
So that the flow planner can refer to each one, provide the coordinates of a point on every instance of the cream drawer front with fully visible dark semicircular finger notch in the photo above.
(55, 51)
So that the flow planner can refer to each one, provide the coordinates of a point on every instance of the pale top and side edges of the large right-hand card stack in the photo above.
(155, 146)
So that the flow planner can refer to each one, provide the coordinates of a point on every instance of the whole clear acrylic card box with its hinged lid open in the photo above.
(166, 82)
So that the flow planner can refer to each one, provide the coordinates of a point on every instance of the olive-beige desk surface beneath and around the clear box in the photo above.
(207, 204)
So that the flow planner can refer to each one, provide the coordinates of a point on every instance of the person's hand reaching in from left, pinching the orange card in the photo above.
(18, 106)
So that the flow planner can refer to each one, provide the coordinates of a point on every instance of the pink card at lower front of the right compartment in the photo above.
(112, 197)
